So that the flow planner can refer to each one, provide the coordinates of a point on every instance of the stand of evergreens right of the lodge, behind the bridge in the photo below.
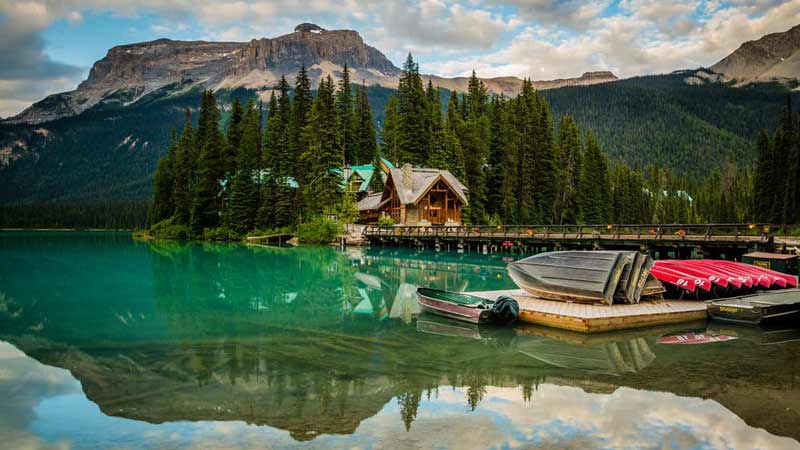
(522, 166)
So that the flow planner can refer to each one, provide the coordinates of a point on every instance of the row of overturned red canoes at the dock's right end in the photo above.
(718, 278)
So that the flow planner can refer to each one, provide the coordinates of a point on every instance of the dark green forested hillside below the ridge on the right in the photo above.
(692, 129)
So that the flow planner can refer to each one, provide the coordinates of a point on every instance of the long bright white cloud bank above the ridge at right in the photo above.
(640, 41)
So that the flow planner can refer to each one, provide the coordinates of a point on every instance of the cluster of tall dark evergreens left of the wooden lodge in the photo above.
(259, 174)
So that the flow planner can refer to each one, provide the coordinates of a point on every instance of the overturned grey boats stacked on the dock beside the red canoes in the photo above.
(603, 277)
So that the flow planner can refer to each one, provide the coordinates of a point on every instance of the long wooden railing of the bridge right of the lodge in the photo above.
(728, 231)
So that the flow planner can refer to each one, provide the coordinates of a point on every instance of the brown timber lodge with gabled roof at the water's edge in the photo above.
(416, 196)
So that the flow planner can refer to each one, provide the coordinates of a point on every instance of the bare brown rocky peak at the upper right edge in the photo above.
(774, 57)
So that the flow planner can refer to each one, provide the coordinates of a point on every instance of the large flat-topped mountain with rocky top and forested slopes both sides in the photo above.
(100, 143)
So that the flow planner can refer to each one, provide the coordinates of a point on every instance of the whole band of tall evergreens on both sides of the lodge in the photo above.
(521, 166)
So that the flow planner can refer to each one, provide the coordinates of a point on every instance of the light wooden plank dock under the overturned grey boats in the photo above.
(599, 318)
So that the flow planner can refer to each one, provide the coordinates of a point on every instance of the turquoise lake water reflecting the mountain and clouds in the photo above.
(110, 343)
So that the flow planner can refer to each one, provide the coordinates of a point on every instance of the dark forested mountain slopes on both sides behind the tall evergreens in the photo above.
(109, 153)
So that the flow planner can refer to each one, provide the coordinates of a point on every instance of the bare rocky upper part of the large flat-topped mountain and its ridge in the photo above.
(129, 73)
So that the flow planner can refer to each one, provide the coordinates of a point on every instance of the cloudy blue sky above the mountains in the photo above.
(48, 46)
